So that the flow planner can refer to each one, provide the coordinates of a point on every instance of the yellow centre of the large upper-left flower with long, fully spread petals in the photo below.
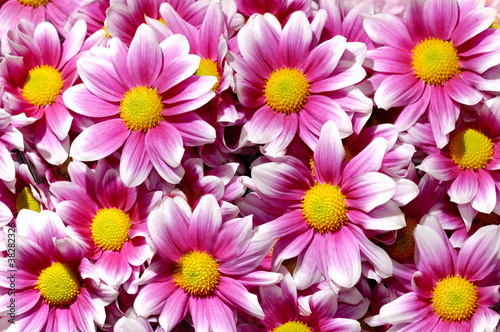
(140, 108)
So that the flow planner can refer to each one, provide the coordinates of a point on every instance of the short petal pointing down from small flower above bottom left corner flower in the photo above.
(113, 268)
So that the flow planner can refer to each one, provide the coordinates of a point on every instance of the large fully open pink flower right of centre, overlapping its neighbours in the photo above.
(325, 217)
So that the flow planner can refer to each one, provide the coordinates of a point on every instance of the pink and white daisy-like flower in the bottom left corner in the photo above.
(57, 289)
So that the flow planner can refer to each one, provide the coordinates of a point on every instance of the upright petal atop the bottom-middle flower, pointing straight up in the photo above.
(205, 224)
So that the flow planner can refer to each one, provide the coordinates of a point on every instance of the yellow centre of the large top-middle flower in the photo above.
(286, 90)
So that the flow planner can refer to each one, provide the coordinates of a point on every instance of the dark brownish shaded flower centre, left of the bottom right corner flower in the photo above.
(403, 249)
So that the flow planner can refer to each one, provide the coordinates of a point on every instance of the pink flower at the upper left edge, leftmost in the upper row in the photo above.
(34, 77)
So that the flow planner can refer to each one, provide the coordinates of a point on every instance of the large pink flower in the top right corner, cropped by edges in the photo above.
(435, 60)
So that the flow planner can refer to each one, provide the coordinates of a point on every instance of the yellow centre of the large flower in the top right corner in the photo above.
(435, 61)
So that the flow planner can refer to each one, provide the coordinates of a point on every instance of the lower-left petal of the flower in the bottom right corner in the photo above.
(405, 309)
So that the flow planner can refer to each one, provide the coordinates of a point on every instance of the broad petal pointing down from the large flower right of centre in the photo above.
(338, 257)
